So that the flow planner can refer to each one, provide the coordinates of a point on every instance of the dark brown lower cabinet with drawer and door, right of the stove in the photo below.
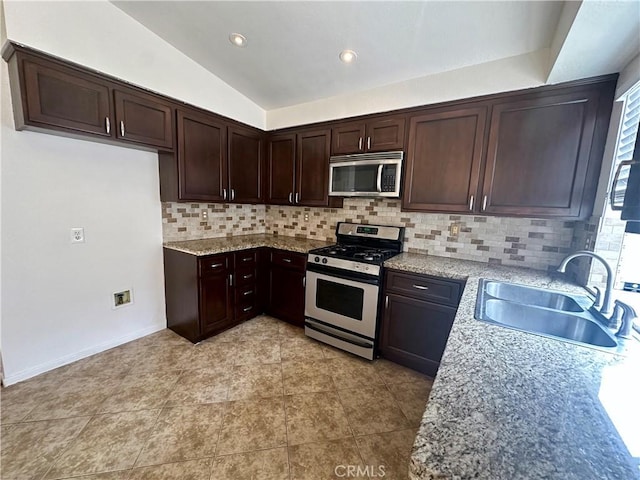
(416, 324)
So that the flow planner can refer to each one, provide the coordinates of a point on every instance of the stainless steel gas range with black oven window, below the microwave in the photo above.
(342, 297)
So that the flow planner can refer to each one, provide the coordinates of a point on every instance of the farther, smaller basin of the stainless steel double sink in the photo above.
(532, 296)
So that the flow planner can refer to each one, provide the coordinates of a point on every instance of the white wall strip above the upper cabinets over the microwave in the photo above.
(514, 73)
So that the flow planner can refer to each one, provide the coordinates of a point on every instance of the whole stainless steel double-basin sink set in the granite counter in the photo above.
(543, 312)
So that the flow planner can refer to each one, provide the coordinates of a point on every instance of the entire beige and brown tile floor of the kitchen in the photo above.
(260, 401)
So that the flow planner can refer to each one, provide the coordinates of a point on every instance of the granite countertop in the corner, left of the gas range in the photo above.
(210, 246)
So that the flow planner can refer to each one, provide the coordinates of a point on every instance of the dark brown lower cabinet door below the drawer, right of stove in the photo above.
(415, 332)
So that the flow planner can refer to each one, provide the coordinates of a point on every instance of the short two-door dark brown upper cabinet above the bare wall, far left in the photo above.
(51, 95)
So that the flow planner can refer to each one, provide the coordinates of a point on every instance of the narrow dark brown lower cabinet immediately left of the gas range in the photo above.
(286, 286)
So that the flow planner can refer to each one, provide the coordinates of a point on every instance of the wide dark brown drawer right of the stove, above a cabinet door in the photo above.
(424, 287)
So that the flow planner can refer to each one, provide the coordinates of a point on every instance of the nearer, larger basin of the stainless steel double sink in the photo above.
(547, 322)
